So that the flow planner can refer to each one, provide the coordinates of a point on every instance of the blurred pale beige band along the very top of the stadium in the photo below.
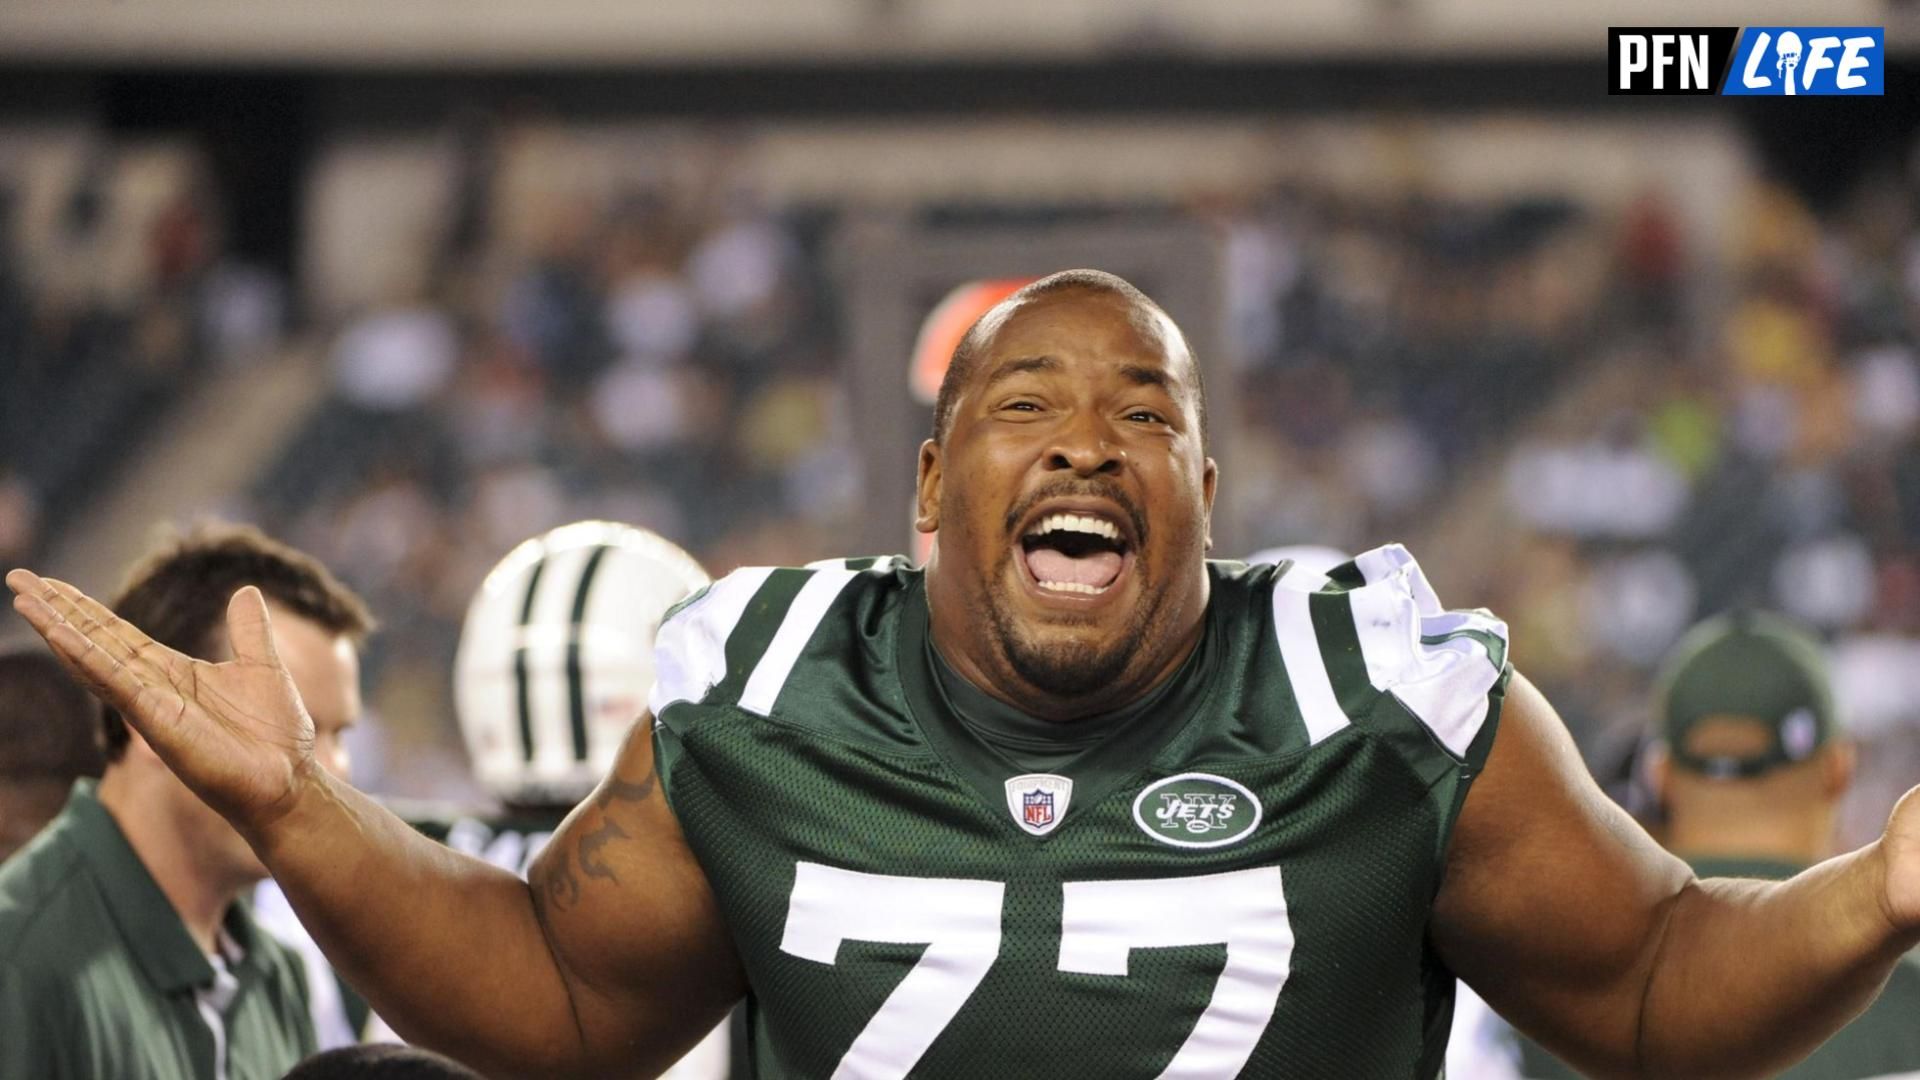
(583, 32)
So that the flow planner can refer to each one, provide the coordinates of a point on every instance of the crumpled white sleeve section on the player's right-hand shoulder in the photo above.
(1445, 683)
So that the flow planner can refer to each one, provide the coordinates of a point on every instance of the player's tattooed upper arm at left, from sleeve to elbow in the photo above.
(631, 920)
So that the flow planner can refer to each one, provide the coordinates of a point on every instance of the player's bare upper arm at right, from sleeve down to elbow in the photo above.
(1554, 900)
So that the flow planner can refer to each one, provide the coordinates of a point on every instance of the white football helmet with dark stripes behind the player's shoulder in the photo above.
(556, 658)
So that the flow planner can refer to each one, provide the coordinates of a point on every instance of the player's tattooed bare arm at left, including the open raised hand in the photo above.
(612, 964)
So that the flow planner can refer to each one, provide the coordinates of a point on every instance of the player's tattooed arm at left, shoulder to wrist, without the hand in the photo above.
(612, 964)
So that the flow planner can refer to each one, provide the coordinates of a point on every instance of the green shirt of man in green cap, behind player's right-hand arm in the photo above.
(1883, 1044)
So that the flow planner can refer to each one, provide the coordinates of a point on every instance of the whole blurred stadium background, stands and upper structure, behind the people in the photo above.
(412, 289)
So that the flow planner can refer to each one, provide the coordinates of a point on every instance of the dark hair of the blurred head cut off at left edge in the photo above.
(49, 724)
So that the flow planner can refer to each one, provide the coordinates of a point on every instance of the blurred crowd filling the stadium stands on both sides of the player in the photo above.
(1629, 422)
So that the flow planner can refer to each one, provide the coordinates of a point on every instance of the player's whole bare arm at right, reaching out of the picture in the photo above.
(1566, 916)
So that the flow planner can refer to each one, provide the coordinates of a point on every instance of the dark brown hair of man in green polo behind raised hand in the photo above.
(180, 595)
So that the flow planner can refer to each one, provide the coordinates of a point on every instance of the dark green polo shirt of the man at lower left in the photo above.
(99, 975)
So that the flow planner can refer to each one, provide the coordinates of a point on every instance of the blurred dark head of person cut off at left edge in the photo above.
(49, 739)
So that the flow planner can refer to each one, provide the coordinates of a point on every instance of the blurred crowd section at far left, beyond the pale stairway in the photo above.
(108, 272)
